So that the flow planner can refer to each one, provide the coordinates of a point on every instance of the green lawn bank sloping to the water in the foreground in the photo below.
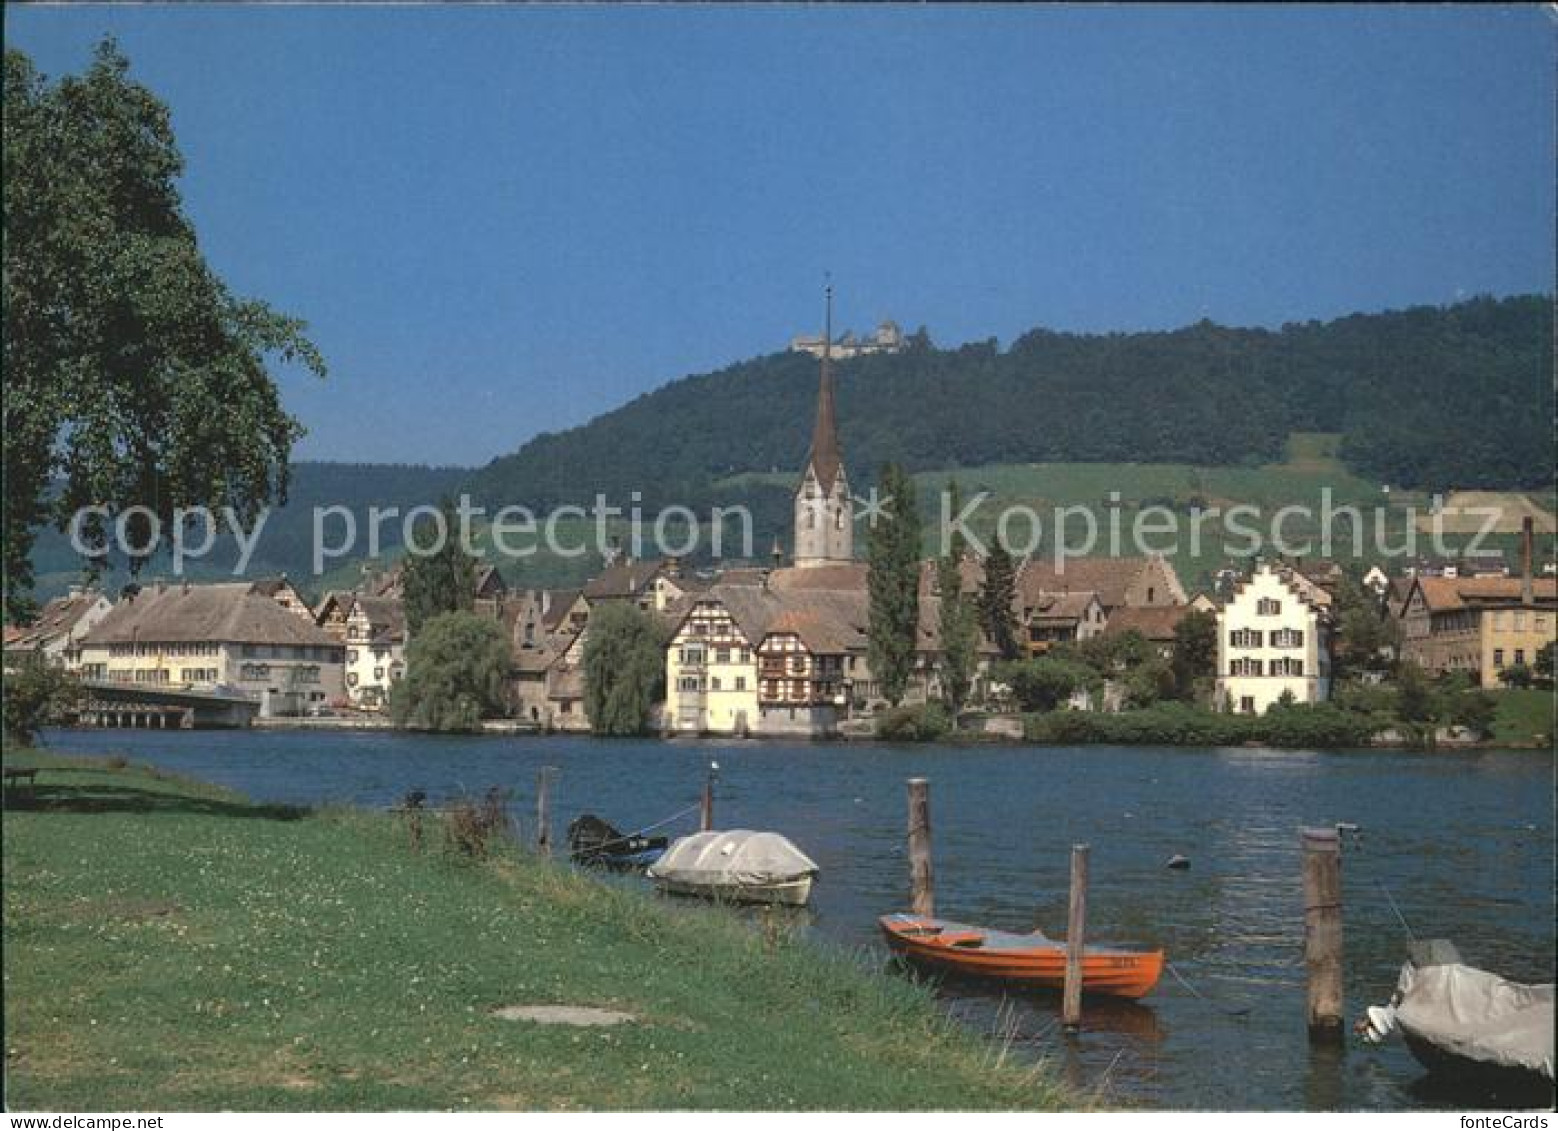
(174, 946)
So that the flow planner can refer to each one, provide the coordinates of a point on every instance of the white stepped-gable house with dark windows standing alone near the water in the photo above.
(1274, 639)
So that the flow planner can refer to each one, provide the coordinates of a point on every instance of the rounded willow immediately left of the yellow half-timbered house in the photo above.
(624, 669)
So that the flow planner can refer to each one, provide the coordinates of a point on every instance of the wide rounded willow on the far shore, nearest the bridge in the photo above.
(456, 675)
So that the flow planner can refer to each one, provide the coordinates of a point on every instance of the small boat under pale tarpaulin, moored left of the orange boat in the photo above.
(739, 865)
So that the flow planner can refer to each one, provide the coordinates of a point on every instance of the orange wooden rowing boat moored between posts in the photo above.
(1028, 960)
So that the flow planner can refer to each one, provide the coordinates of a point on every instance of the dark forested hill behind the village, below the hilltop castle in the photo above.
(1425, 398)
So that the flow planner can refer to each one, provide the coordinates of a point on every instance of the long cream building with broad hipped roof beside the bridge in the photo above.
(217, 638)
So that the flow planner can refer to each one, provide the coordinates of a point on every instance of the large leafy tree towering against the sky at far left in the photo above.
(135, 379)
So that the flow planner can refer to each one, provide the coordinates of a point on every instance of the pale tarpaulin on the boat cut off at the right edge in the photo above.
(1478, 1015)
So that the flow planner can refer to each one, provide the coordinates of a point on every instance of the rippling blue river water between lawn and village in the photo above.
(1464, 844)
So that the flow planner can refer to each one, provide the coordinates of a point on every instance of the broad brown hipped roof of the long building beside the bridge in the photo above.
(230, 613)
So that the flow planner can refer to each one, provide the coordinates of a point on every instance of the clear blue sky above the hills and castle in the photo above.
(507, 220)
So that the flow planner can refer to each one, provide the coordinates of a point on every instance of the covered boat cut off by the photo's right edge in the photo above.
(1467, 1024)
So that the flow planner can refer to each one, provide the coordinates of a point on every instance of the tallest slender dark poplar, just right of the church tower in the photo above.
(894, 582)
